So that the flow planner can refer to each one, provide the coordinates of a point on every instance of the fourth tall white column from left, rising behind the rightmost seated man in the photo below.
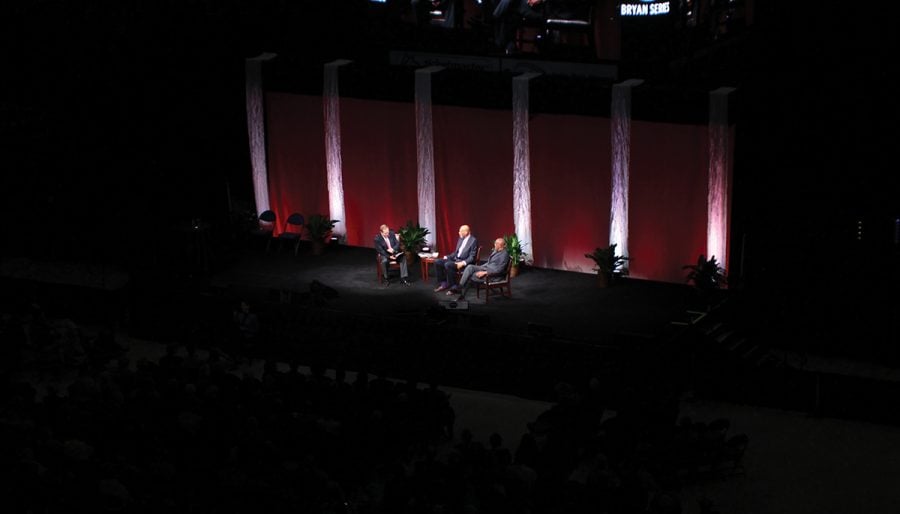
(522, 163)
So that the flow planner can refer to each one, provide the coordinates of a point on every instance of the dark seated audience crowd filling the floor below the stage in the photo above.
(194, 430)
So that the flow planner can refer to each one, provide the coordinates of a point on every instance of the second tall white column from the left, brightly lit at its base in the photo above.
(333, 163)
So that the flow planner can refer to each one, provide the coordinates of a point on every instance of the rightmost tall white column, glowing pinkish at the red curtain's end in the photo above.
(719, 171)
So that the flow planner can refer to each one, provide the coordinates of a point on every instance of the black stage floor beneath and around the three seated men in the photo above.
(567, 304)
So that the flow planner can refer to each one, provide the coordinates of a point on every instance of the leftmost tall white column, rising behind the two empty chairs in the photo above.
(256, 130)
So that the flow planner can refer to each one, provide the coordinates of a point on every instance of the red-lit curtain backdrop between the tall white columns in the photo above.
(473, 161)
